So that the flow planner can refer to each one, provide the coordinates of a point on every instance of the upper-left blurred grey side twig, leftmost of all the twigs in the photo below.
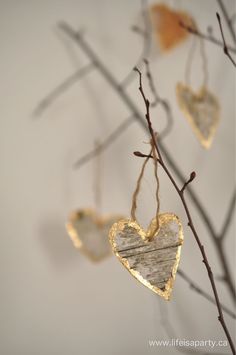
(61, 88)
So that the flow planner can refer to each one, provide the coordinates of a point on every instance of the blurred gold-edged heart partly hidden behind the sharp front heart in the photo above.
(89, 233)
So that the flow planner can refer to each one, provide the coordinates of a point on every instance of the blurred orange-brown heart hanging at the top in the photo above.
(166, 25)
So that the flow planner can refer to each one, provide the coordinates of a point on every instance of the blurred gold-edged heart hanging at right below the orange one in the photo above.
(202, 110)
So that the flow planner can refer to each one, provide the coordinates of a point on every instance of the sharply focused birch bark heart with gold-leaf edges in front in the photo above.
(152, 261)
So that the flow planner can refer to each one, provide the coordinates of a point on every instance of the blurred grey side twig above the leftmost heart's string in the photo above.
(103, 145)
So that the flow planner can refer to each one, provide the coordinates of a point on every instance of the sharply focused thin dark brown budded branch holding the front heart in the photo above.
(188, 215)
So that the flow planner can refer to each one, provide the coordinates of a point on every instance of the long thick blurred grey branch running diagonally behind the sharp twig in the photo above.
(108, 76)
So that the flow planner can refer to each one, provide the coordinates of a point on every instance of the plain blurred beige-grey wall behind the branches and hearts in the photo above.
(53, 299)
